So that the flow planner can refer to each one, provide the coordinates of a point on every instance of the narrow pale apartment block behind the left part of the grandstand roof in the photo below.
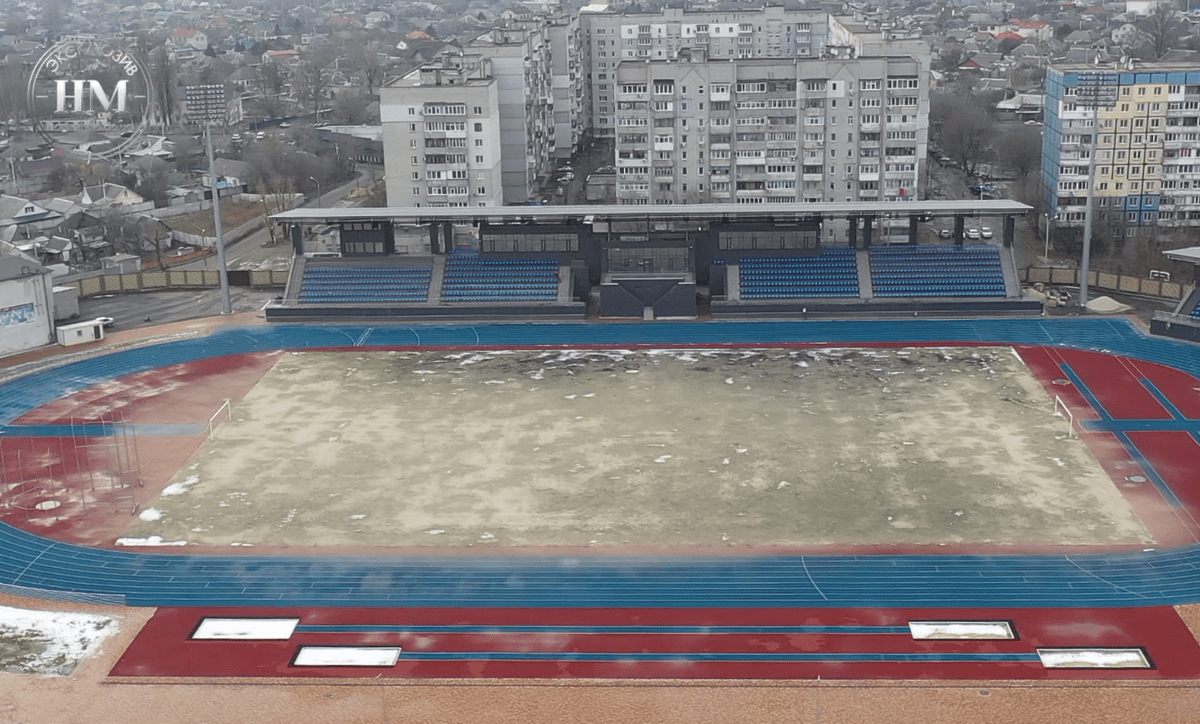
(442, 135)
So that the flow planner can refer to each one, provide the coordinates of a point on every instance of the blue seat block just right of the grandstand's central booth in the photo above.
(833, 273)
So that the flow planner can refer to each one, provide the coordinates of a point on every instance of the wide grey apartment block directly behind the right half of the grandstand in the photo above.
(764, 131)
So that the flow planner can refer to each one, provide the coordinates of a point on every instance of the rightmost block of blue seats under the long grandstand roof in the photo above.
(938, 271)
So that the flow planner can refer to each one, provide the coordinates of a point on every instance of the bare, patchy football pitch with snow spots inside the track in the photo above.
(610, 448)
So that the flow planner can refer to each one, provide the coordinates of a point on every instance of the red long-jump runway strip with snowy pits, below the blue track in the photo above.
(164, 649)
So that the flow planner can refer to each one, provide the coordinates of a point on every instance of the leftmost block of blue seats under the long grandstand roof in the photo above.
(358, 285)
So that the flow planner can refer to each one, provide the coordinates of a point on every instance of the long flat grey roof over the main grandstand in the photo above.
(677, 213)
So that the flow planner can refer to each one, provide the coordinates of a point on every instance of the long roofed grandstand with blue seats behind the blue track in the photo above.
(622, 262)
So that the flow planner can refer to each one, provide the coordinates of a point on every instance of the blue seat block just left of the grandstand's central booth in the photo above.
(469, 278)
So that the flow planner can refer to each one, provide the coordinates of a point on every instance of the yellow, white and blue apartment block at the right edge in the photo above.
(1147, 145)
